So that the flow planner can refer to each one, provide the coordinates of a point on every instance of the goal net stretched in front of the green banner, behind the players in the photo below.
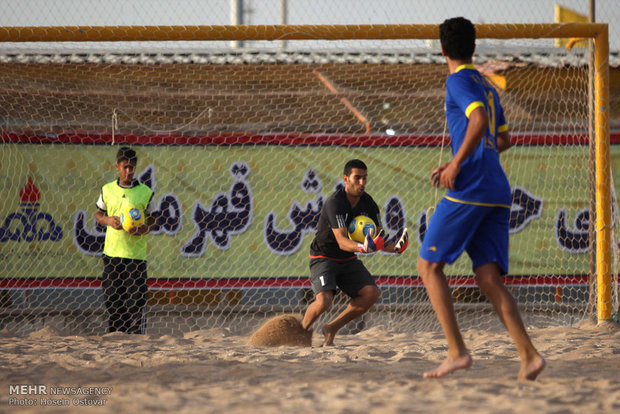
(243, 142)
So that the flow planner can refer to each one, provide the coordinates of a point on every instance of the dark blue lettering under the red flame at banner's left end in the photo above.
(30, 225)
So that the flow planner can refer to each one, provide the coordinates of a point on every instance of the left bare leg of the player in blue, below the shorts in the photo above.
(439, 294)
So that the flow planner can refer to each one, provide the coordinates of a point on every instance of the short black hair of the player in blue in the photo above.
(458, 38)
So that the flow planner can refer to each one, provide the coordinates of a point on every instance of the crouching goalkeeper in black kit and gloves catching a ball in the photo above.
(333, 263)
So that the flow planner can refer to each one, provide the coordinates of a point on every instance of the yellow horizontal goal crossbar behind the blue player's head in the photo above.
(290, 32)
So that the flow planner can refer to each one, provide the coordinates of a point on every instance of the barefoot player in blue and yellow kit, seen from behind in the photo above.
(474, 214)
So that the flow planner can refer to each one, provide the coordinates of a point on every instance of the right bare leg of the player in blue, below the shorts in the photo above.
(489, 280)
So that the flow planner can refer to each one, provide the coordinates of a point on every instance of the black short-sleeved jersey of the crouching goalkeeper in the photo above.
(338, 213)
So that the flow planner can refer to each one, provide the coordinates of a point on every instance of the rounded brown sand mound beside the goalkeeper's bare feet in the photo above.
(280, 331)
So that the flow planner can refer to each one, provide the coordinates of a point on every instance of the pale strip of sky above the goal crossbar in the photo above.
(217, 12)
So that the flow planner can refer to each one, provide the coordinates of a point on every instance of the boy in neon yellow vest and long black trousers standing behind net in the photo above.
(124, 279)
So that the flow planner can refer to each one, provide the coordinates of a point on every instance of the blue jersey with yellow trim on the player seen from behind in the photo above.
(481, 179)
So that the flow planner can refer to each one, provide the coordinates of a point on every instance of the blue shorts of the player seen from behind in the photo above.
(482, 231)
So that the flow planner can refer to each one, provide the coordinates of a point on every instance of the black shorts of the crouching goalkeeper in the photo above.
(348, 275)
